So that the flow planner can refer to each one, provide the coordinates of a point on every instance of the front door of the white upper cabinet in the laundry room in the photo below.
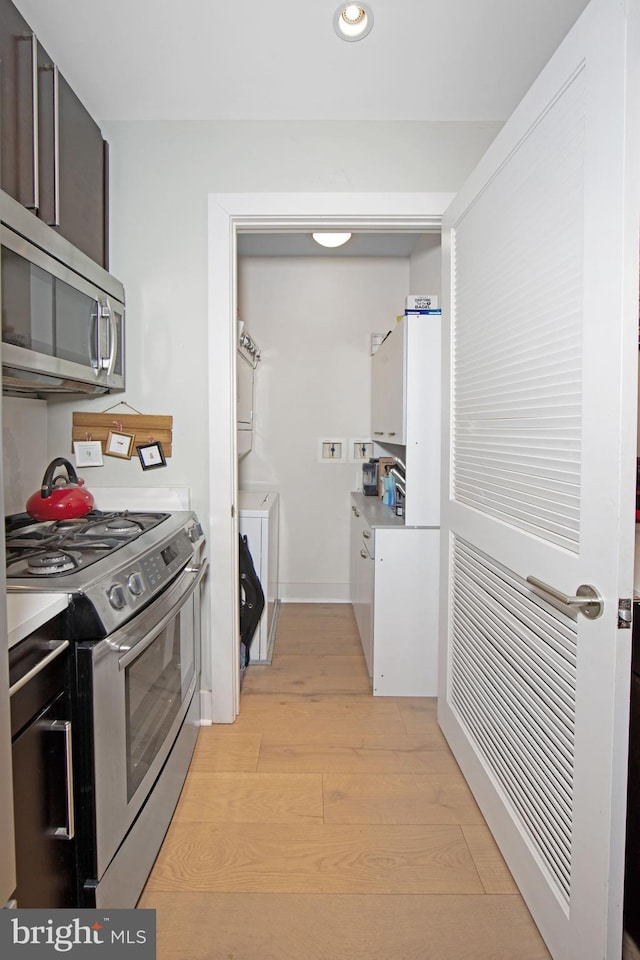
(388, 388)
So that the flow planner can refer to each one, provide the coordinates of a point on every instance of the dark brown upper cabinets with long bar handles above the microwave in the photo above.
(53, 158)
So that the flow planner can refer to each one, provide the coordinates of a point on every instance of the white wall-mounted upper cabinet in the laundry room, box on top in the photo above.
(405, 410)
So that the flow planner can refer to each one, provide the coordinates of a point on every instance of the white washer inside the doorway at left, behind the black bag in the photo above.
(258, 520)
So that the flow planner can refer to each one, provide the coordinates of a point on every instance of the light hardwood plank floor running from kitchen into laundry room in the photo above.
(326, 824)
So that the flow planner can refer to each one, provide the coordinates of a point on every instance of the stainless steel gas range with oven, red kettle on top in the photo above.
(133, 621)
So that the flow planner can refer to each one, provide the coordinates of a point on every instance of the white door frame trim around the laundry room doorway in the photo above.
(228, 215)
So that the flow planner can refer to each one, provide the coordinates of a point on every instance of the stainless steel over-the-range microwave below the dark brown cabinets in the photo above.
(62, 314)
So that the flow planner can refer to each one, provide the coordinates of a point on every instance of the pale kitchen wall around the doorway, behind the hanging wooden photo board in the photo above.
(161, 176)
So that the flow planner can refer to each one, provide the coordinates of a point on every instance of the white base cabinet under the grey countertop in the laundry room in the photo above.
(394, 591)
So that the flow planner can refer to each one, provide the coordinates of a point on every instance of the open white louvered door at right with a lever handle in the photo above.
(540, 294)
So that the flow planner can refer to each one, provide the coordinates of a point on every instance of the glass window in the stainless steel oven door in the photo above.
(156, 684)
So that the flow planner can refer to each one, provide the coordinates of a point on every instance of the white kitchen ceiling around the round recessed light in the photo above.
(132, 60)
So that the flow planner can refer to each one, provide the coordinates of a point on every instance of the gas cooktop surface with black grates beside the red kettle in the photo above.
(54, 549)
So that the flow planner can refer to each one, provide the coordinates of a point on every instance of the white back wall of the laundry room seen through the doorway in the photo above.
(313, 319)
